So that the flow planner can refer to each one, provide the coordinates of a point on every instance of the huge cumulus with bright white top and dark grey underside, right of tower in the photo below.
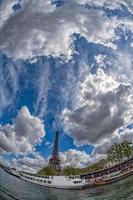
(104, 105)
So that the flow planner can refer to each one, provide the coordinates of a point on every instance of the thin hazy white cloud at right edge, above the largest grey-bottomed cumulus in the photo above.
(117, 65)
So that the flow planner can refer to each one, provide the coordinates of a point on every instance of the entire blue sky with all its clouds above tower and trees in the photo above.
(65, 65)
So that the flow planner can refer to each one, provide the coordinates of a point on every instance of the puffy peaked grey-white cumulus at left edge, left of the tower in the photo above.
(21, 136)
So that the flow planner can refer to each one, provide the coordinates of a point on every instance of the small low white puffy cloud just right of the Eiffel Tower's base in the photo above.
(74, 158)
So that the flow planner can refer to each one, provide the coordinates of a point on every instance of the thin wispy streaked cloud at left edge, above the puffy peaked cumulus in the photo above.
(9, 83)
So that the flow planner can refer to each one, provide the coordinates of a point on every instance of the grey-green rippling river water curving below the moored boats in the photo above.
(13, 188)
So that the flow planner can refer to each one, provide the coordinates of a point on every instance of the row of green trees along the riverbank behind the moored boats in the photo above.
(116, 154)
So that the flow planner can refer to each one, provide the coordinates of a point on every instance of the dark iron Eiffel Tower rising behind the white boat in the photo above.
(54, 161)
